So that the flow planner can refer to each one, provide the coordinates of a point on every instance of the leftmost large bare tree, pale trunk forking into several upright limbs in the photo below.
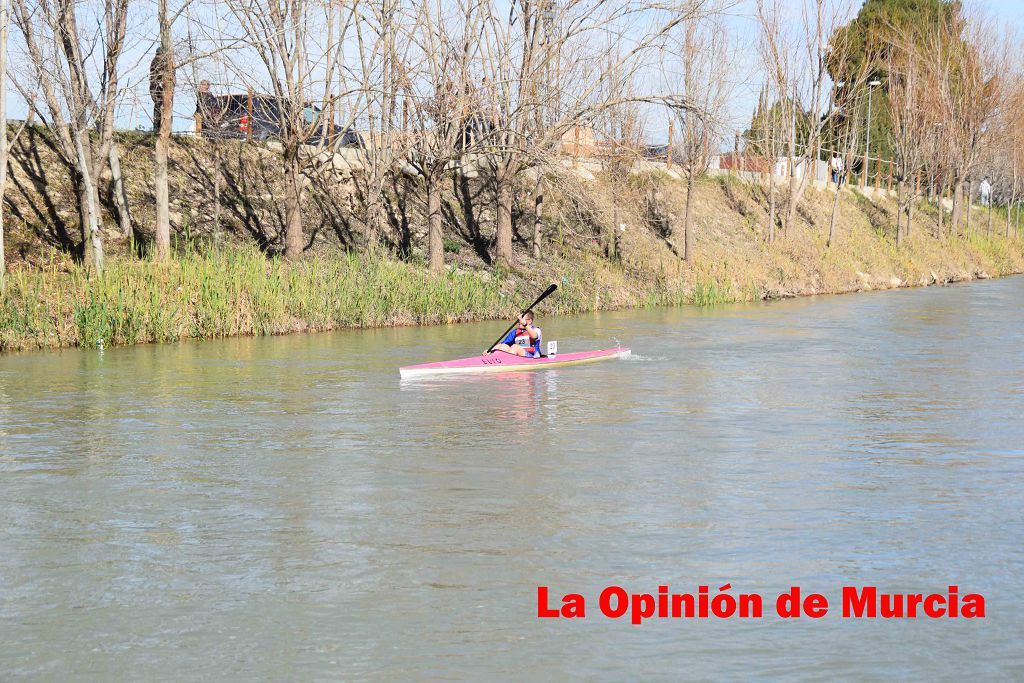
(77, 71)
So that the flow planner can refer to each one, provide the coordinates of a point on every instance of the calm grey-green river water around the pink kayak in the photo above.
(287, 509)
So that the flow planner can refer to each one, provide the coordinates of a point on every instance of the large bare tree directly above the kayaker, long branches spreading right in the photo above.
(519, 50)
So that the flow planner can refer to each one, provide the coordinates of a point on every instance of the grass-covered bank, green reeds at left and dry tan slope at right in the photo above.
(236, 289)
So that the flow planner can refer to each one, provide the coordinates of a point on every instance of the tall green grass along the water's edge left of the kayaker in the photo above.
(234, 292)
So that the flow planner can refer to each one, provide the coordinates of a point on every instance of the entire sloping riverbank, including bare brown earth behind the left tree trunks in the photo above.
(226, 279)
